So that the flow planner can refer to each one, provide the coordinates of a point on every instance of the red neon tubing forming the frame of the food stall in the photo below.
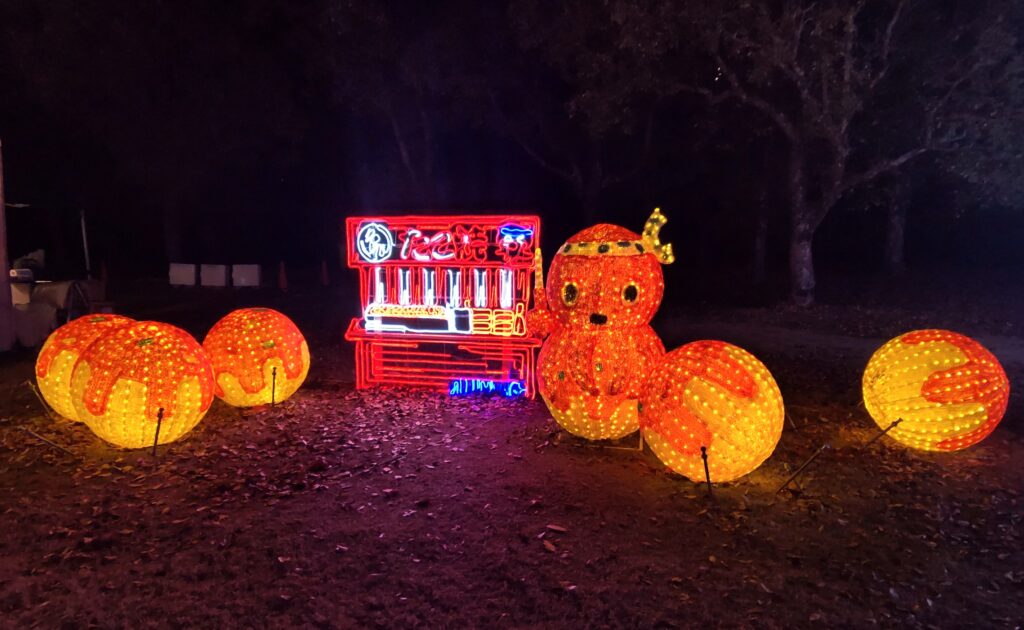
(430, 360)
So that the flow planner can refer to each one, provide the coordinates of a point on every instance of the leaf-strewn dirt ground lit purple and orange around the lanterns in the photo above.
(346, 509)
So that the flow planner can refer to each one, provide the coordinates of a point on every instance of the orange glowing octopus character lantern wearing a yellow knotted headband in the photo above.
(605, 286)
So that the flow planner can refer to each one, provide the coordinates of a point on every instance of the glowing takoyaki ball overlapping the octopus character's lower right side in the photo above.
(717, 396)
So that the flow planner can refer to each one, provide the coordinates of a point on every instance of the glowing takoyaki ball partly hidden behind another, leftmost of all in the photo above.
(63, 348)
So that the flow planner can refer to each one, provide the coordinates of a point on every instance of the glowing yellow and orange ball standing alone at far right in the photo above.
(949, 392)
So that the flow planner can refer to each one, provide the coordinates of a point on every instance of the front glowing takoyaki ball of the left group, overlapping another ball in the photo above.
(123, 381)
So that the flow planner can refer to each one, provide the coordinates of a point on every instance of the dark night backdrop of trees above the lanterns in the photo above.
(246, 131)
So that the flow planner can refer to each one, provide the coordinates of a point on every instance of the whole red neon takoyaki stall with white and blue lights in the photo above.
(444, 303)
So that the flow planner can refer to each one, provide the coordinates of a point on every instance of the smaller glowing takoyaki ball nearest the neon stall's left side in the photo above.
(259, 356)
